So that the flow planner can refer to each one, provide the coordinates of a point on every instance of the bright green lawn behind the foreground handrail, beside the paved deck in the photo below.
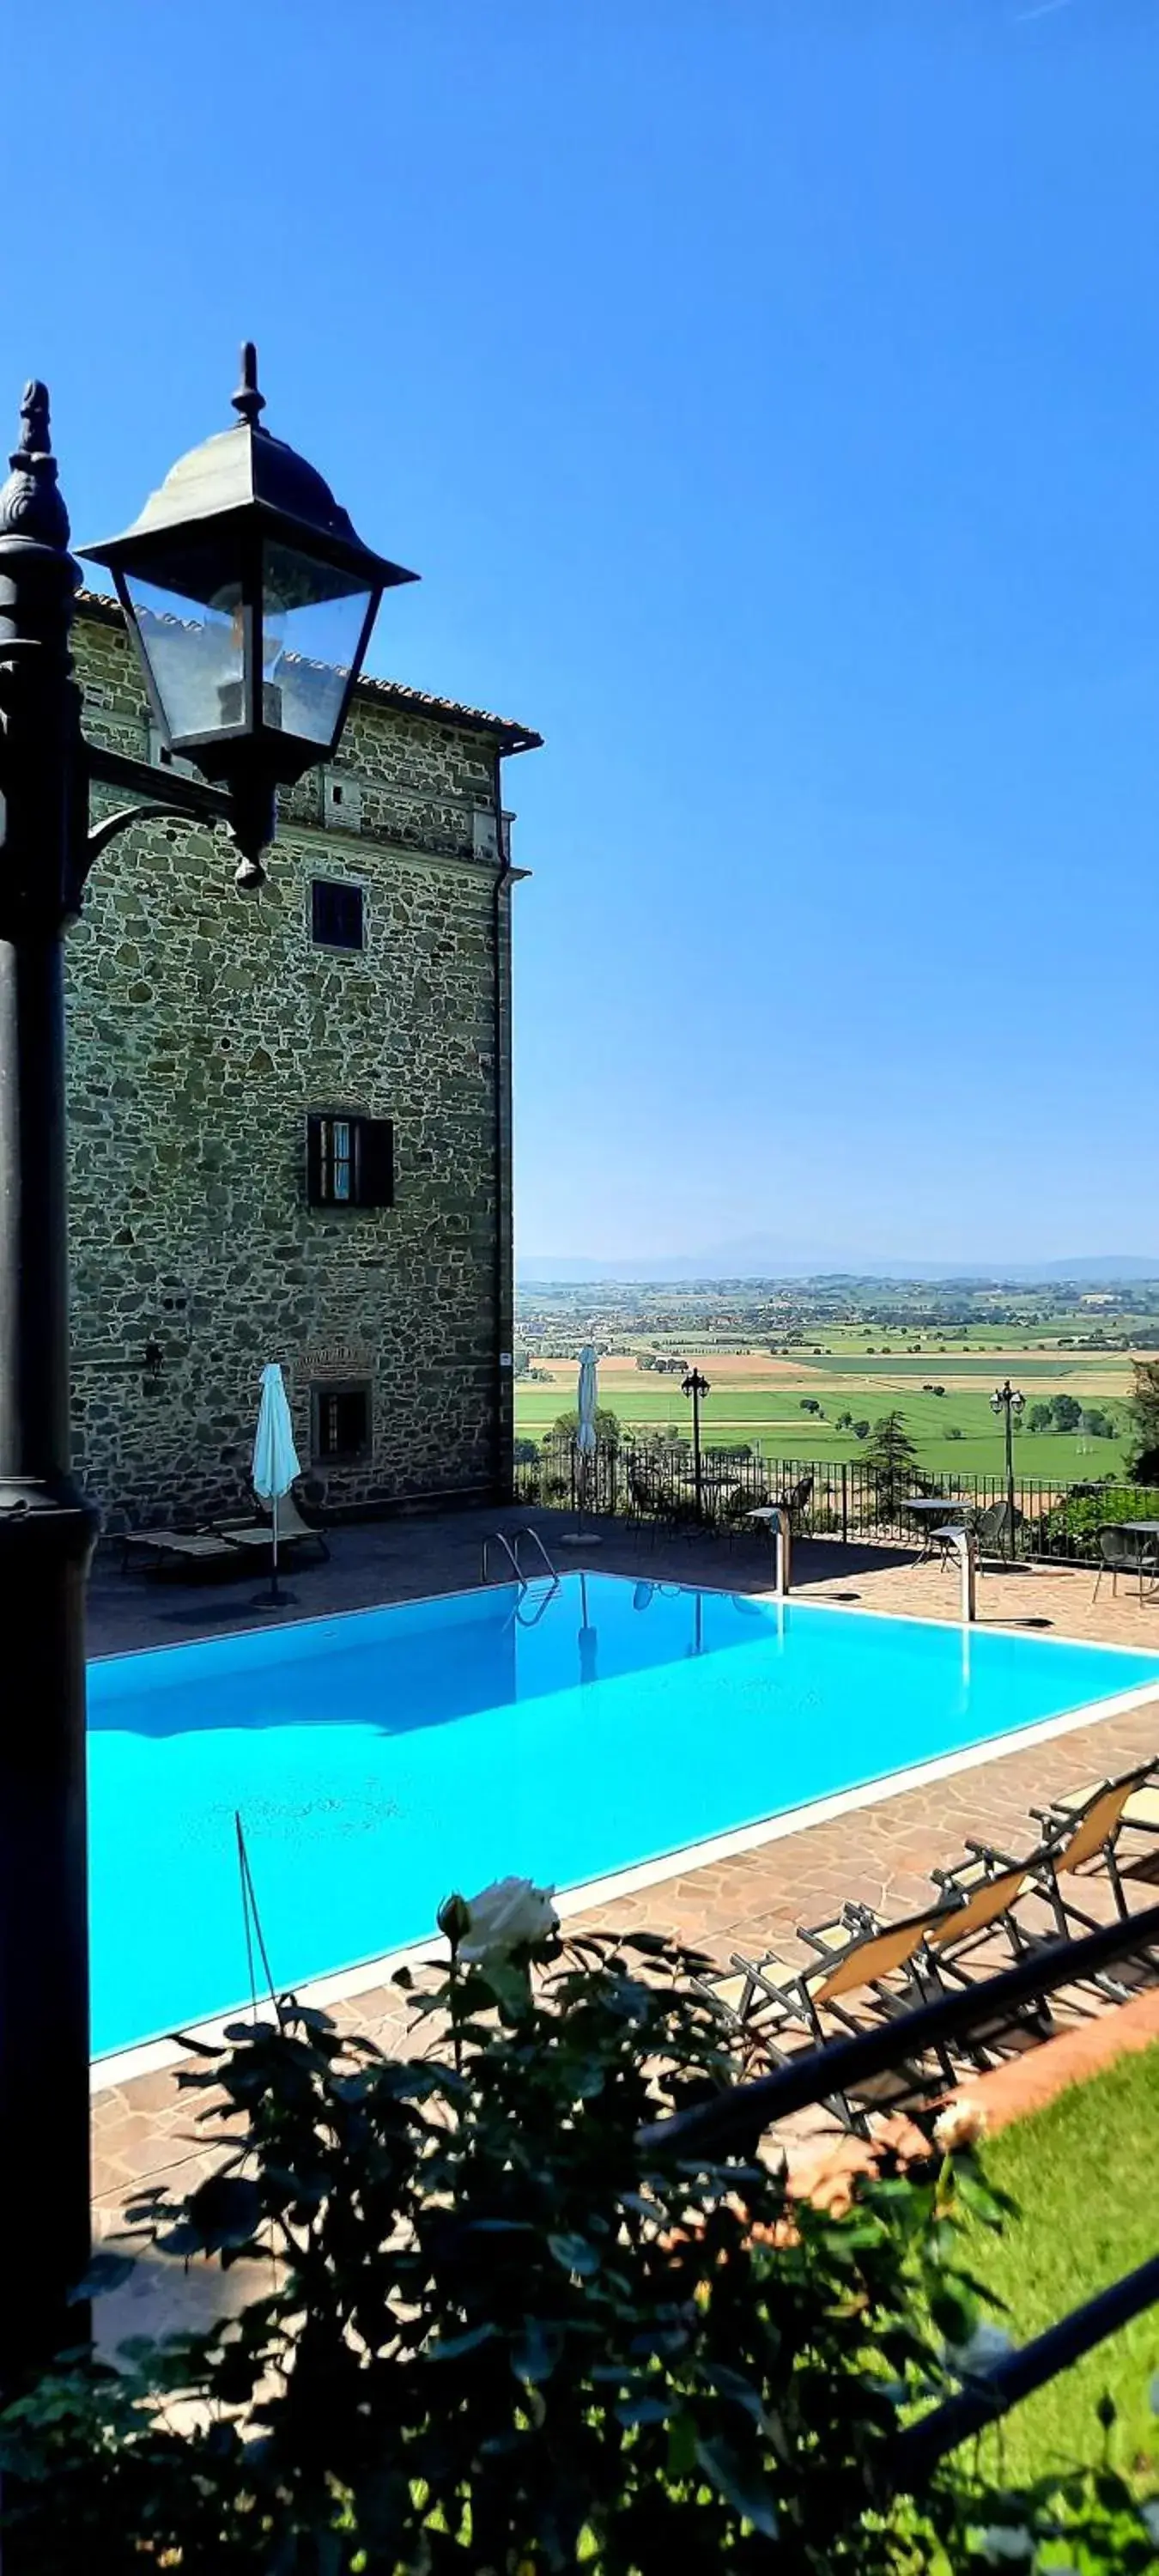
(1086, 2175)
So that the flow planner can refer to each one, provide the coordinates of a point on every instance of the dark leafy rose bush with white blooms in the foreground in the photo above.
(491, 2330)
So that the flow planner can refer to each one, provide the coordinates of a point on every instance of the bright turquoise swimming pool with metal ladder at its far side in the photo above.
(390, 1756)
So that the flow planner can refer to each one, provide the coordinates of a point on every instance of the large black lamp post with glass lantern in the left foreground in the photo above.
(251, 601)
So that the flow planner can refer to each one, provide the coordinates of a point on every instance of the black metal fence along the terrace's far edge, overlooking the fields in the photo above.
(849, 1501)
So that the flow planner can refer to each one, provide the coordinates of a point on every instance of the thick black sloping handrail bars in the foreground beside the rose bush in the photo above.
(735, 2124)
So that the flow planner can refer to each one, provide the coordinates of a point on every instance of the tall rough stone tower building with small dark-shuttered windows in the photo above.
(290, 1122)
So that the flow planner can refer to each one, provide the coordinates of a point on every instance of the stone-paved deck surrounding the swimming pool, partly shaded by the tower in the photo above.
(751, 1900)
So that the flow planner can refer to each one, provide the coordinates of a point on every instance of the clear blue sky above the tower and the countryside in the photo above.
(769, 395)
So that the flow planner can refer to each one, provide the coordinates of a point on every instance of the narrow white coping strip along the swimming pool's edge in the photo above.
(120, 2067)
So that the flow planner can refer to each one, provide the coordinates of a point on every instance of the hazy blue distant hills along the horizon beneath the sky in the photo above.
(766, 1261)
